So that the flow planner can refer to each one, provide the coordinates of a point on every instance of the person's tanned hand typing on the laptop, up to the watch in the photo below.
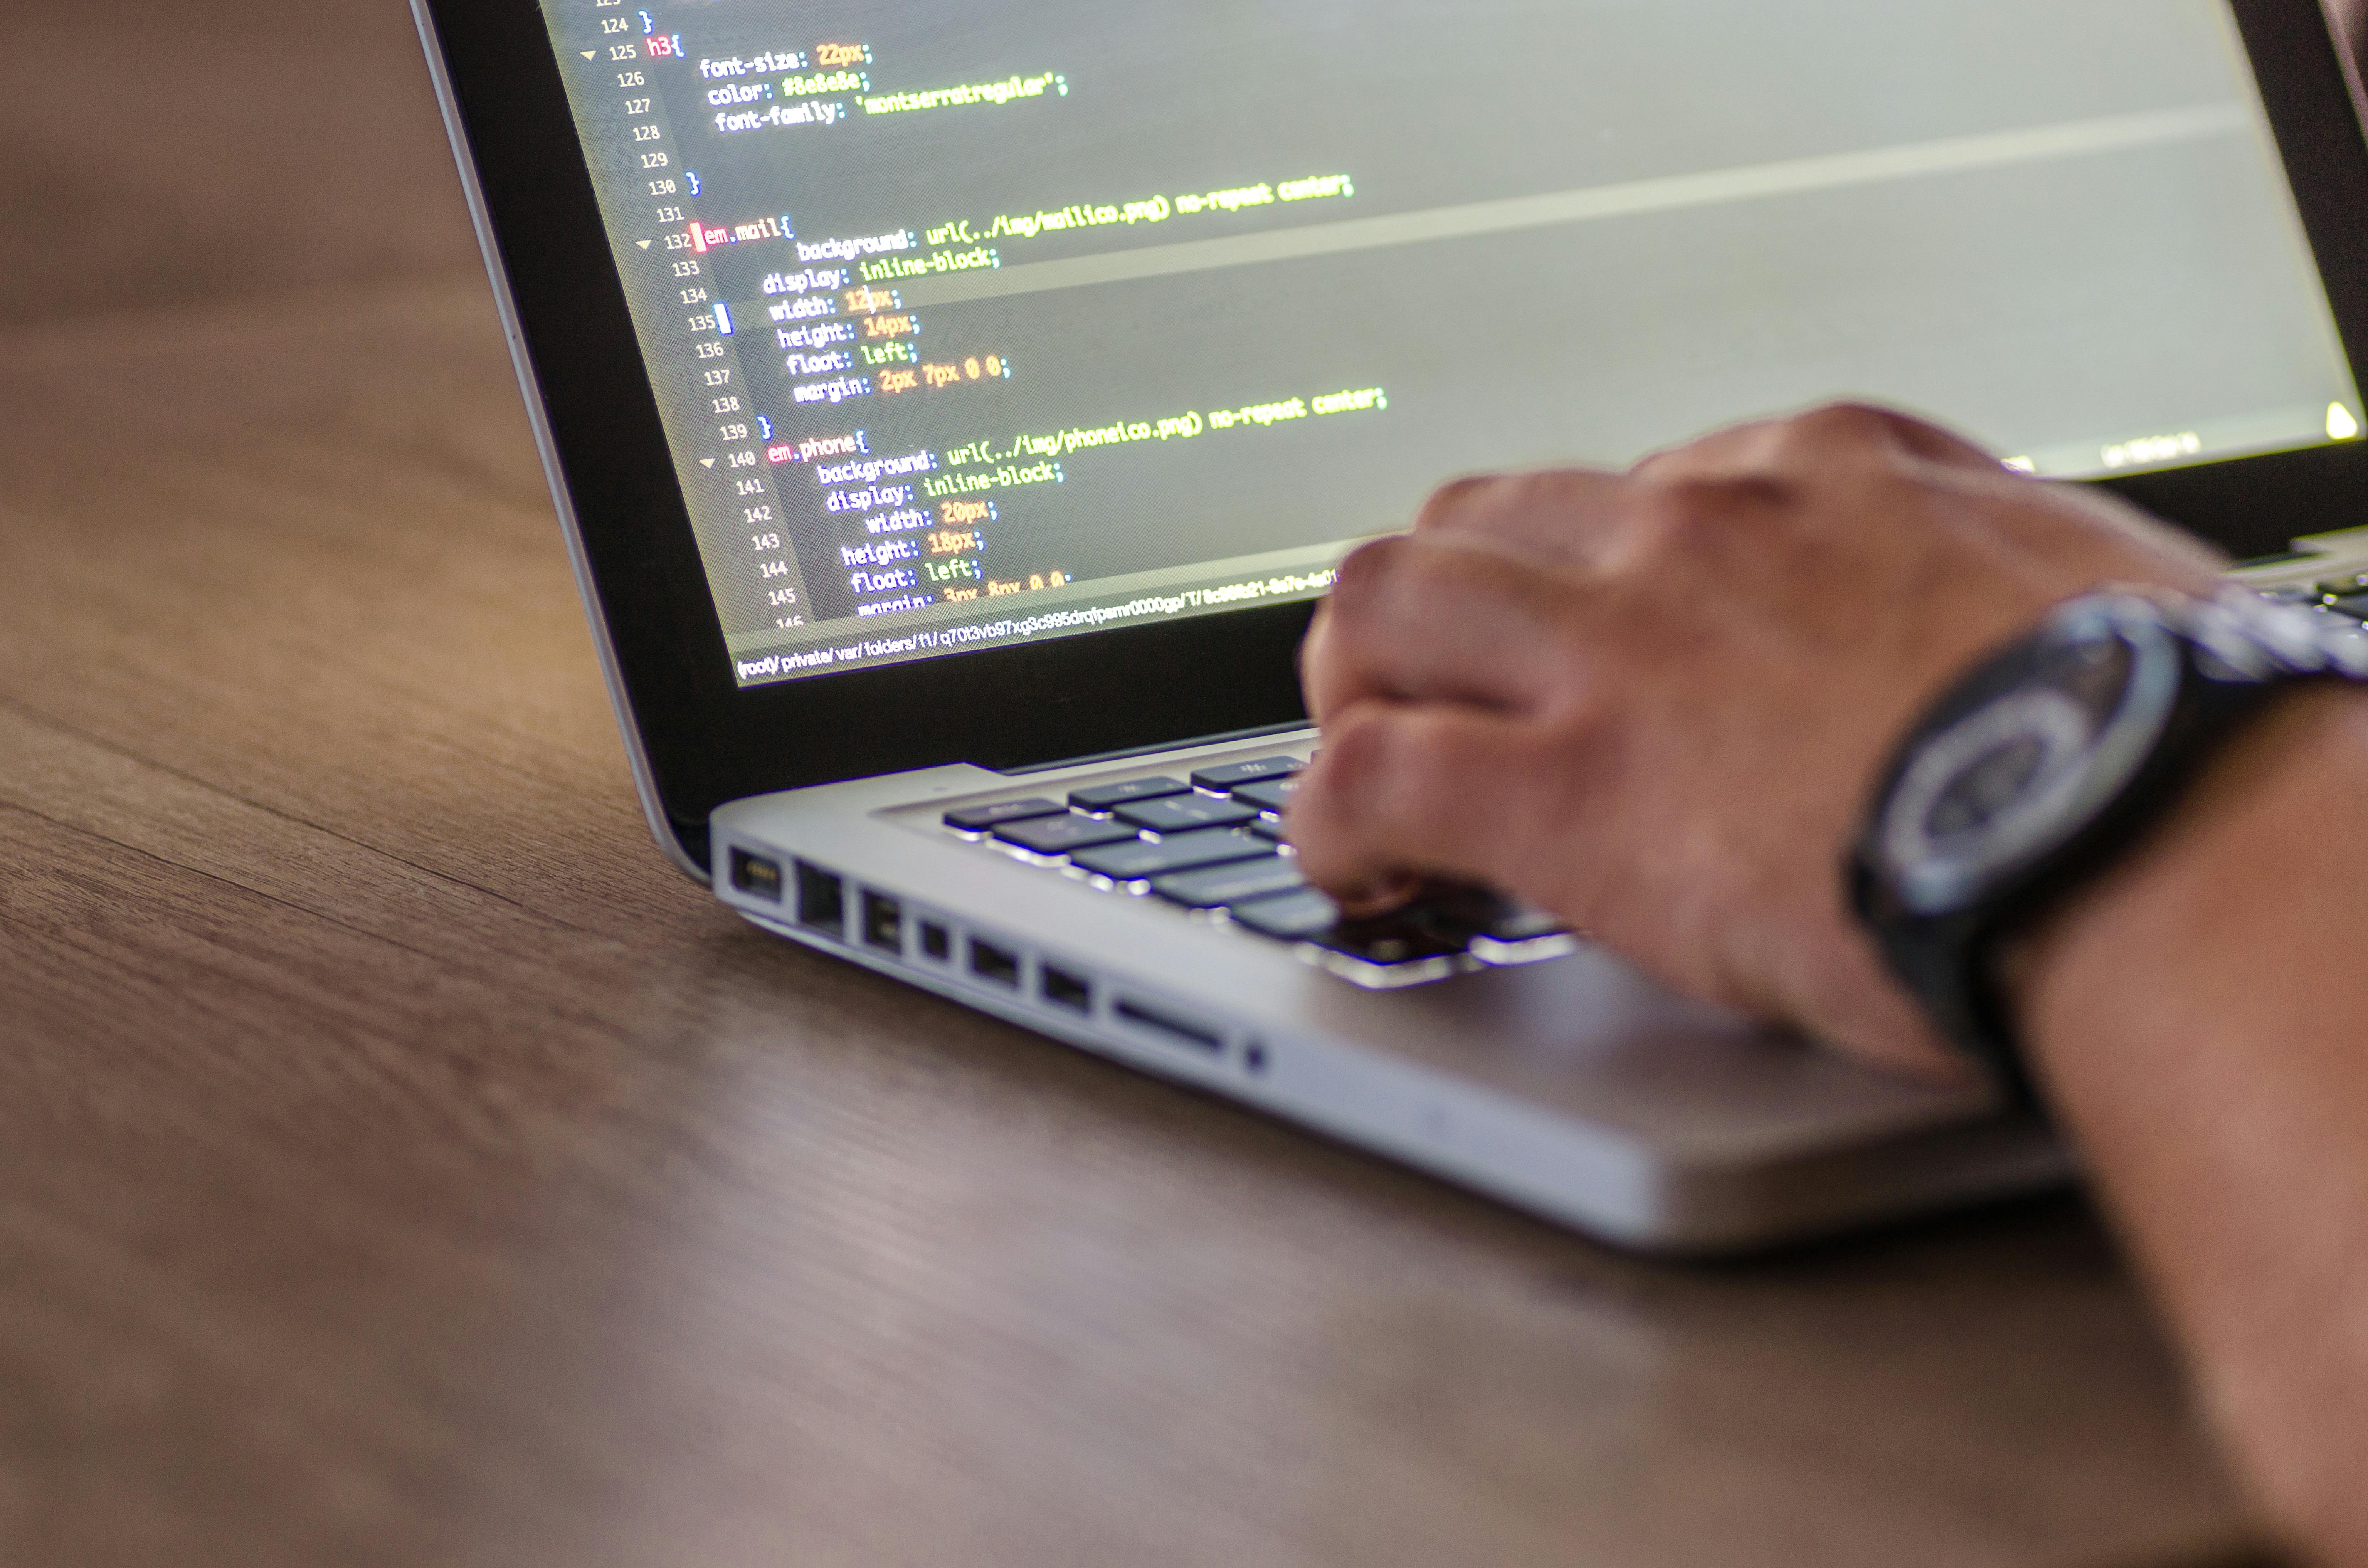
(1656, 702)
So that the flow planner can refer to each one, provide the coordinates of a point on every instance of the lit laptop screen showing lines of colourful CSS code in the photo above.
(979, 323)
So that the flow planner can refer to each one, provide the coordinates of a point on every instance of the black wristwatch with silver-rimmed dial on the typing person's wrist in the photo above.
(2045, 766)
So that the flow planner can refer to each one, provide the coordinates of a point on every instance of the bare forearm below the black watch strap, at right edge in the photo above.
(2201, 1022)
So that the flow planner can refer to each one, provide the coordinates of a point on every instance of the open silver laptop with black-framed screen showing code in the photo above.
(958, 409)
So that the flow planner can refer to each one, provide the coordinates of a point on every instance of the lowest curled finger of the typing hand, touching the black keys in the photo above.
(1413, 790)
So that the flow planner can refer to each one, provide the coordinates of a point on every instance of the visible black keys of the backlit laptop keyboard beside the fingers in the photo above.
(1214, 844)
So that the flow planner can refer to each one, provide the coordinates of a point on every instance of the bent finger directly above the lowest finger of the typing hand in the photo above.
(1441, 619)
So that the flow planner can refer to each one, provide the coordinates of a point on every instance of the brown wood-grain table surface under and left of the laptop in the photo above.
(399, 1164)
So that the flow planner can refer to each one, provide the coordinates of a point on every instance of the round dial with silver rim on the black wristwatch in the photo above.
(2028, 757)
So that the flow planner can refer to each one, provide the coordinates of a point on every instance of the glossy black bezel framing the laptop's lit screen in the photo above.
(709, 743)
